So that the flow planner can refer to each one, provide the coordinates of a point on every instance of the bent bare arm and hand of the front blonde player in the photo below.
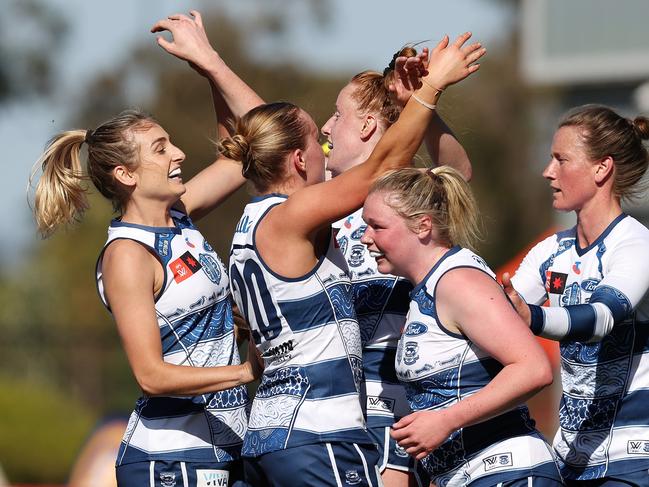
(483, 314)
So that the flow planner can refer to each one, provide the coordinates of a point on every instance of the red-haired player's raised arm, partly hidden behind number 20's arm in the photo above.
(442, 145)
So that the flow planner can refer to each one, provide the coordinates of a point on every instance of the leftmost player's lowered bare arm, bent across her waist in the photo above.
(129, 273)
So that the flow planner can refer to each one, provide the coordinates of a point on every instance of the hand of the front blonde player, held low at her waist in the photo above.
(421, 432)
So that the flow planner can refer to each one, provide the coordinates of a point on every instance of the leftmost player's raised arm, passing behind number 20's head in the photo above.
(231, 97)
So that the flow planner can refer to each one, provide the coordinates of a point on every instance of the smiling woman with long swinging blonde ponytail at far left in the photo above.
(167, 290)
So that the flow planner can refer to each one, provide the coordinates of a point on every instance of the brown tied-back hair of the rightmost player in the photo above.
(605, 133)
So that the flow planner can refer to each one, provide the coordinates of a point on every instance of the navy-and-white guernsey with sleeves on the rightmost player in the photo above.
(604, 430)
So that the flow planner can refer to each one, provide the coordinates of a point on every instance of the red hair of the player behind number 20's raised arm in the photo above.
(372, 93)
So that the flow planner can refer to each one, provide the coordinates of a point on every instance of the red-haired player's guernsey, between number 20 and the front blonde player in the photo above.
(381, 302)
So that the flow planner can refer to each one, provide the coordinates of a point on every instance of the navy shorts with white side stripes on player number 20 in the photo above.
(320, 464)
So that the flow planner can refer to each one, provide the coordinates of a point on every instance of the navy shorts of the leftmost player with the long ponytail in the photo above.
(159, 473)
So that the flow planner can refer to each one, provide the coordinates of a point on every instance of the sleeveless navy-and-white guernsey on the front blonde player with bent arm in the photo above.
(440, 368)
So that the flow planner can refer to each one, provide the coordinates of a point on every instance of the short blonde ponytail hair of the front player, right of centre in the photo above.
(441, 193)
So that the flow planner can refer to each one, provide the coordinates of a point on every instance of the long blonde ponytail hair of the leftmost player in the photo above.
(61, 193)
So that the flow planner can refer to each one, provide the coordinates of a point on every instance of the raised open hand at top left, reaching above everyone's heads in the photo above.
(189, 40)
